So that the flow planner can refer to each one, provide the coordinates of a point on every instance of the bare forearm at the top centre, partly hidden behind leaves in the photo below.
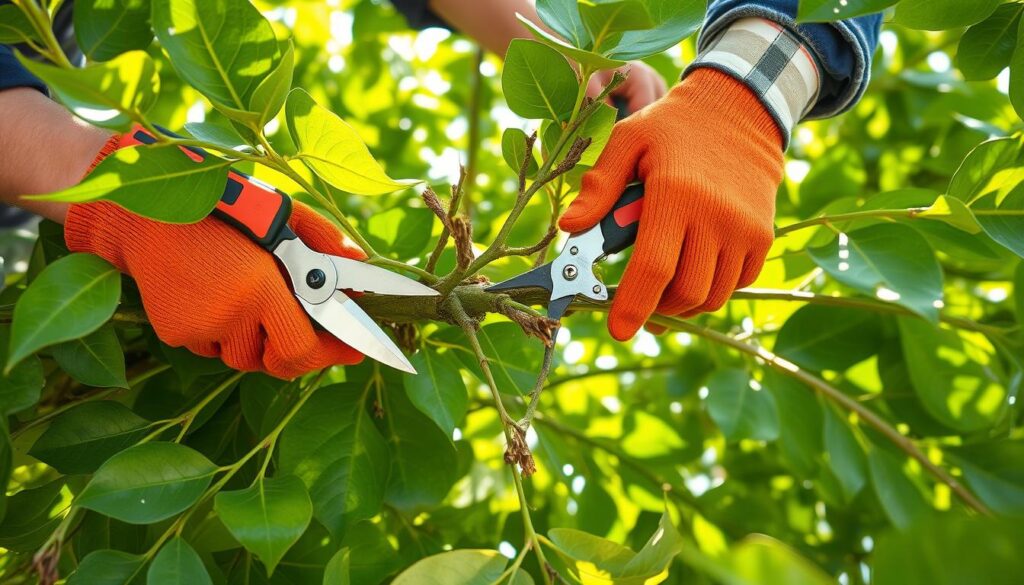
(494, 28)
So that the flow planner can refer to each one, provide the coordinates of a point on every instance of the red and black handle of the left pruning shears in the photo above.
(259, 211)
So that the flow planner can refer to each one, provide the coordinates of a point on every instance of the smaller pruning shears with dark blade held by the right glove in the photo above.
(572, 273)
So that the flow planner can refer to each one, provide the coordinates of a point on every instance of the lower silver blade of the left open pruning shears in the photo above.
(348, 322)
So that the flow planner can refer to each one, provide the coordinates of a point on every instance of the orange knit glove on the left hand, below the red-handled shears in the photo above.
(210, 289)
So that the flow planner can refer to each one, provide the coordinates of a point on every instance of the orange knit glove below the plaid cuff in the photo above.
(711, 159)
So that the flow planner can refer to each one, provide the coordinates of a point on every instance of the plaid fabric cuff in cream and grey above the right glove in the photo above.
(773, 62)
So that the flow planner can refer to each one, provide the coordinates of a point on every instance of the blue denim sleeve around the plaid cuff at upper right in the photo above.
(843, 50)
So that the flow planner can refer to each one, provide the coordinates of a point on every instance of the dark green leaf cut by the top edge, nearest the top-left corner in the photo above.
(106, 29)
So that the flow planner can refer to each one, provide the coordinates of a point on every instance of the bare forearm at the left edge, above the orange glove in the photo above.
(44, 149)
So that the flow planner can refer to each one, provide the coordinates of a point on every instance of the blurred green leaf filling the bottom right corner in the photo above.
(963, 551)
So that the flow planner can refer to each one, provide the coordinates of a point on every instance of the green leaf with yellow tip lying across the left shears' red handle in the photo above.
(189, 190)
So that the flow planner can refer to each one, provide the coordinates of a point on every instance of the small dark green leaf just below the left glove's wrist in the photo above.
(96, 360)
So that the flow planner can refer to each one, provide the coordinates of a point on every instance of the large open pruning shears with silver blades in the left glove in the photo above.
(262, 213)
